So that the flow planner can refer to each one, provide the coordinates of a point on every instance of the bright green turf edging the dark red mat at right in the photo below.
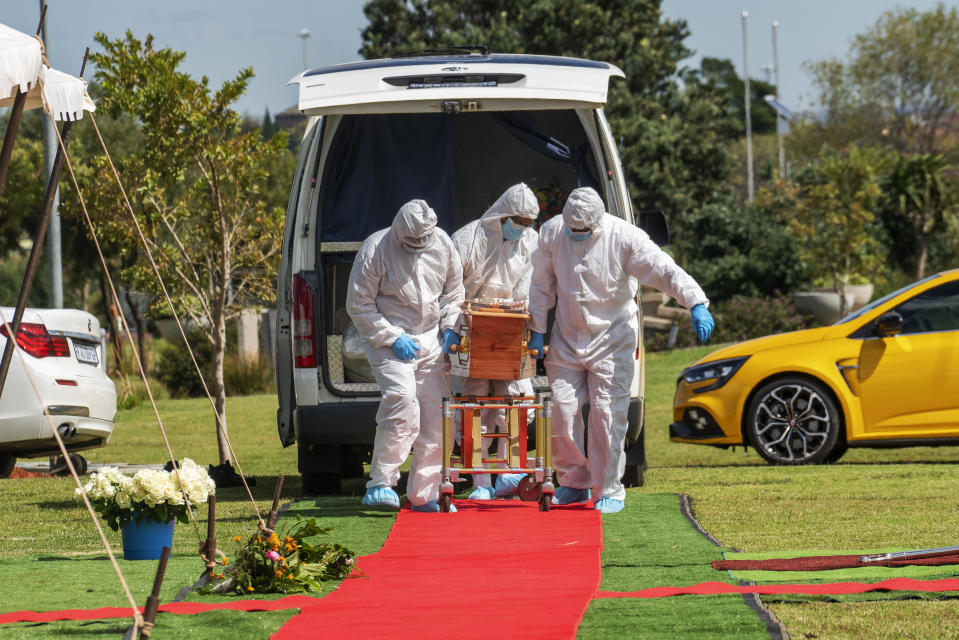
(850, 574)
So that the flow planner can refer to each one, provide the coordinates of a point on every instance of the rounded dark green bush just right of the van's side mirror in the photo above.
(741, 250)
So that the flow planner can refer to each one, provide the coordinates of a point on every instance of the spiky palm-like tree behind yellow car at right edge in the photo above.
(919, 192)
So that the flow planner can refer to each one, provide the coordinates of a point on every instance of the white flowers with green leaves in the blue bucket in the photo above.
(154, 495)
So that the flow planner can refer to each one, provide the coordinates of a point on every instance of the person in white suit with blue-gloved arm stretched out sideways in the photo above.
(587, 264)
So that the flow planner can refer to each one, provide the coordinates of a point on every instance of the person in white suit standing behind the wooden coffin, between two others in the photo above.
(496, 252)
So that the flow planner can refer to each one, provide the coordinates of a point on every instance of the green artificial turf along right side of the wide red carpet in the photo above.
(651, 543)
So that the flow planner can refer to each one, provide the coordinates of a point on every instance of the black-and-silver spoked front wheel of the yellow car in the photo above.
(793, 421)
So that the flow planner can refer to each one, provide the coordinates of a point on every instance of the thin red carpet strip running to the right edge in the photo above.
(834, 588)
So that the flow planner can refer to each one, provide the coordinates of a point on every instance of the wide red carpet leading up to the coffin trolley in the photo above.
(515, 573)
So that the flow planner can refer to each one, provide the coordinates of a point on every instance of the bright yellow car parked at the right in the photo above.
(886, 375)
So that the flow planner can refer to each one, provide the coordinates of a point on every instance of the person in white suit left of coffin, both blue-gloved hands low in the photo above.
(404, 293)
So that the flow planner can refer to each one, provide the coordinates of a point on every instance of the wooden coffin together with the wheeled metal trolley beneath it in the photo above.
(494, 335)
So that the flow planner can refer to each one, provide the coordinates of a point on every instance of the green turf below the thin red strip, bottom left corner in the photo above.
(202, 626)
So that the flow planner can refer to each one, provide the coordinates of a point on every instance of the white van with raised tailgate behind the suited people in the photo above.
(456, 128)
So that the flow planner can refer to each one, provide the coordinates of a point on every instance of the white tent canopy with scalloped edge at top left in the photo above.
(22, 70)
